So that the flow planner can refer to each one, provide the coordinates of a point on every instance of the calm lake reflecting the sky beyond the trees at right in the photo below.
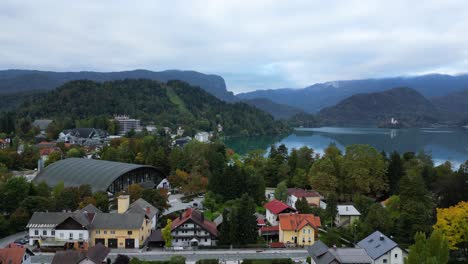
(442, 143)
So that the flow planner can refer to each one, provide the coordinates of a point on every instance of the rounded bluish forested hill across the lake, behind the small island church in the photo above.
(404, 104)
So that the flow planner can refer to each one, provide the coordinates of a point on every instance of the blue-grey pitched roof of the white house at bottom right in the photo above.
(377, 244)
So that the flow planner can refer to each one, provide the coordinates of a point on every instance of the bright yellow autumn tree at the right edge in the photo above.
(453, 222)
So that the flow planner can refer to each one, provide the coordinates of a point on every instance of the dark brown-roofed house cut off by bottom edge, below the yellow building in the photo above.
(95, 255)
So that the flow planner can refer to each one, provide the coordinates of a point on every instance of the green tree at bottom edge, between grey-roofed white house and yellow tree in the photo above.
(434, 250)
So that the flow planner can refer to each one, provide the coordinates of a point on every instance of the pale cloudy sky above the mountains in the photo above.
(252, 44)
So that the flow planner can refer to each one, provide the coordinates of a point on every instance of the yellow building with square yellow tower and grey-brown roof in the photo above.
(121, 230)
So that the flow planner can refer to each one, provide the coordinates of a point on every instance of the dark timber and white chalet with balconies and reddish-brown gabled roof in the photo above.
(192, 229)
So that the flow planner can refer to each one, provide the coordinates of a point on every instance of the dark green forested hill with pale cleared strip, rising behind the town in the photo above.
(171, 104)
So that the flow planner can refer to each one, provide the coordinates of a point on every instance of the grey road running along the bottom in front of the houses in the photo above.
(192, 256)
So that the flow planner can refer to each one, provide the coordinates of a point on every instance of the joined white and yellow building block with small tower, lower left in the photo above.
(128, 228)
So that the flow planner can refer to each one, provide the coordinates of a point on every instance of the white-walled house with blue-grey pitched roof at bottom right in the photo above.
(382, 249)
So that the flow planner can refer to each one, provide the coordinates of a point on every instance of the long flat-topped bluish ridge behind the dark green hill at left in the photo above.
(12, 81)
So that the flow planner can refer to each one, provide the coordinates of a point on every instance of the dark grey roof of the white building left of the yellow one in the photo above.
(51, 219)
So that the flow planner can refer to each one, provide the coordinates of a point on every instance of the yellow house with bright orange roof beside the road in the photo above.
(298, 229)
